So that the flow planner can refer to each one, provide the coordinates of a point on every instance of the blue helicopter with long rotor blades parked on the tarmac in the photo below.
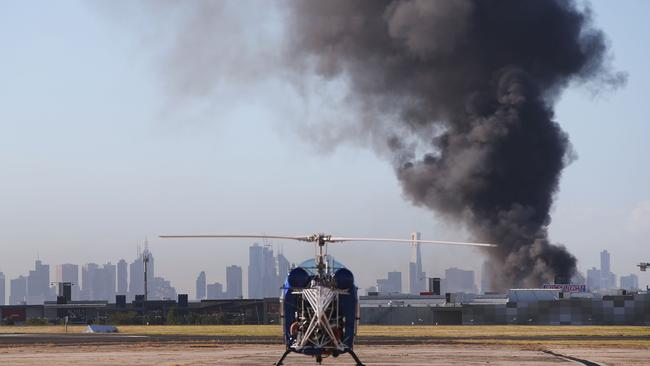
(320, 305)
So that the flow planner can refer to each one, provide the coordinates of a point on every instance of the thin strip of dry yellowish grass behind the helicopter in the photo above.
(455, 332)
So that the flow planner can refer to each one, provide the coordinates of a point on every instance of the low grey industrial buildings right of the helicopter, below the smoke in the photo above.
(518, 306)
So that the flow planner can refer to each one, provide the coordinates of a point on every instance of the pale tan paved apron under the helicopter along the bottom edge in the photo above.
(256, 354)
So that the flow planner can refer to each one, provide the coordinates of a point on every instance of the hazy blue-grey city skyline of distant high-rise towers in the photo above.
(107, 280)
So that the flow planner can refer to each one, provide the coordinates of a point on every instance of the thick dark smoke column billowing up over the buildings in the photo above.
(462, 94)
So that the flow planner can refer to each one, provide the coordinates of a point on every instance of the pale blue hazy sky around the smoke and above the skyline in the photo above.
(97, 153)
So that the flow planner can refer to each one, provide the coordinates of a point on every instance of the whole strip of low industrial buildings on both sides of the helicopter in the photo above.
(518, 306)
